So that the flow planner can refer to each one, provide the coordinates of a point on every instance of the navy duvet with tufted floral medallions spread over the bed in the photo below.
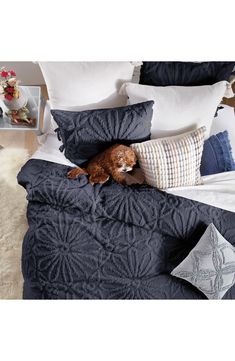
(109, 241)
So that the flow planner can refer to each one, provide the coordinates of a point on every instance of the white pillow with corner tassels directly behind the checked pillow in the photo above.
(179, 109)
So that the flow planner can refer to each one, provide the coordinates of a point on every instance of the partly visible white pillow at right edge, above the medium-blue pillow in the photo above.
(225, 120)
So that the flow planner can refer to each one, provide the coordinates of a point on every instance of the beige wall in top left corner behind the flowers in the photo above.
(28, 72)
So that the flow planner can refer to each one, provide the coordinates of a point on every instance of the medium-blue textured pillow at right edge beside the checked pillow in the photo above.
(217, 155)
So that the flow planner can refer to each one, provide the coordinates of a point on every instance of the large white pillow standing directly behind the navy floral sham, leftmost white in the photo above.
(86, 85)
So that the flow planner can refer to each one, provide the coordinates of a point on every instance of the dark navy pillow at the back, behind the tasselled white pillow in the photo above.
(184, 73)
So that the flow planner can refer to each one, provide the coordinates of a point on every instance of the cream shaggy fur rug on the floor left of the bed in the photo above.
(13, 222)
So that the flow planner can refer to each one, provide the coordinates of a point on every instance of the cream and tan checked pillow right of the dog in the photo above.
(173, 161)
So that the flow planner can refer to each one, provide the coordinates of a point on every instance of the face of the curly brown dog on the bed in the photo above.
(125, 159)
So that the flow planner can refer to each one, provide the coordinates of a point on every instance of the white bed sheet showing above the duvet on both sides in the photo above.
(217, 190)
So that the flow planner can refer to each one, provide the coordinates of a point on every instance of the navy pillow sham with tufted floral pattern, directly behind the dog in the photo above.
(84, 134)
